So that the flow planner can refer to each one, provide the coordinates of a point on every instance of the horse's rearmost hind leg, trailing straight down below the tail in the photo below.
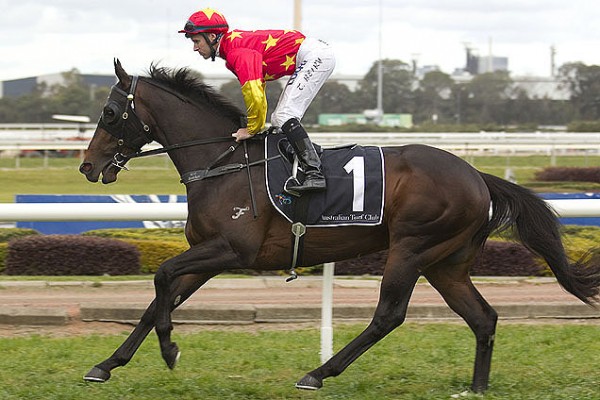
(455, 286)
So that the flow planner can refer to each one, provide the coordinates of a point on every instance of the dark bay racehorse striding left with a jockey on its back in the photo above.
(436, 219)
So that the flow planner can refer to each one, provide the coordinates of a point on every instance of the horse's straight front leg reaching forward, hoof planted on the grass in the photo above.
(181, 290)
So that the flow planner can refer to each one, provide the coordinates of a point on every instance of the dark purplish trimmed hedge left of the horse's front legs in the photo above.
(71, 255)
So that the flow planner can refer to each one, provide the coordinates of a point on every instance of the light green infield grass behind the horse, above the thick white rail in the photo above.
(156, 175)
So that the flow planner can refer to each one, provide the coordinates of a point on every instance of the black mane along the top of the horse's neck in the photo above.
(189, 85)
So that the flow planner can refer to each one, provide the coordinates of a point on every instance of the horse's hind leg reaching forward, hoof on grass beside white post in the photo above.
(398, 282)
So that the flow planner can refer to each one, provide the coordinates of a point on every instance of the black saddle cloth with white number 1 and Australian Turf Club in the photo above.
(355, 185)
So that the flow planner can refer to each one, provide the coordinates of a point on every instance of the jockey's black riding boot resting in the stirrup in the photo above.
(307, 156)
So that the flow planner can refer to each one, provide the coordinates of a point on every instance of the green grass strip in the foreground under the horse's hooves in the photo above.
(429, 361)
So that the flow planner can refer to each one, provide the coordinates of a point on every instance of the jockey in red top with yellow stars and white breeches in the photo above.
(263, 55)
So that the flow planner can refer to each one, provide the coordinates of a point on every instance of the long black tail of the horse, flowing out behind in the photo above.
(538, 229)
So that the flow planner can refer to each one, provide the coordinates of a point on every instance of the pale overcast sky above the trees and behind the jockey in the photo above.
(49, 36)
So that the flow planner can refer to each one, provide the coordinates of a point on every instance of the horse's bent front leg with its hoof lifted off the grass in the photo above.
(210, 257)
